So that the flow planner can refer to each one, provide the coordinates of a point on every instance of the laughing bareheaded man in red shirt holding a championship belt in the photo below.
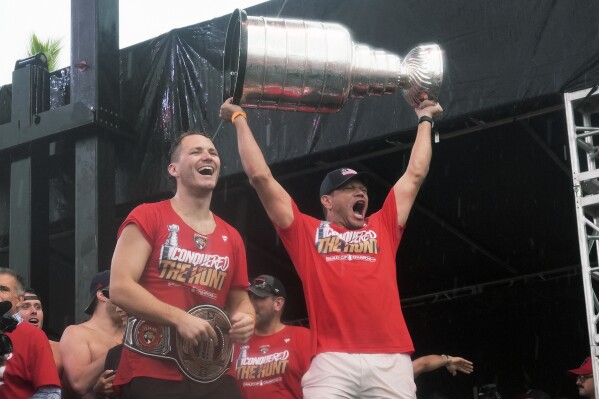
(170, 257)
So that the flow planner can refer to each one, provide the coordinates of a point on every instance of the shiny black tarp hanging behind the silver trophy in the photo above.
(501, 56)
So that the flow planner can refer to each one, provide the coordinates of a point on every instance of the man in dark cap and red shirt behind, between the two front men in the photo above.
(272, 363)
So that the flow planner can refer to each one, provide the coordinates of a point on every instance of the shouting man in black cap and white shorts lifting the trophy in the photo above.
(347, 266)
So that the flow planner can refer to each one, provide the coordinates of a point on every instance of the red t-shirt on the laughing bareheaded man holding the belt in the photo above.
(185, 269)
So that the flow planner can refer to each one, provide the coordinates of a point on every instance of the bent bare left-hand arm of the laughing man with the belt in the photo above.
(128, 262)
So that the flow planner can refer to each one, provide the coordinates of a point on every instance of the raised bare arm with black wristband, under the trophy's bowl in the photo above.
(408, 185)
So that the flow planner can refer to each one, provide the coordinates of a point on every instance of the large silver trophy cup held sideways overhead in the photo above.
(310, 66)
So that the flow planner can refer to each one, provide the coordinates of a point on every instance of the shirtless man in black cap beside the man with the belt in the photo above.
(83, 347)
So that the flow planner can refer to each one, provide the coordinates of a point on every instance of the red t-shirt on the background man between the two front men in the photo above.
(272, 366)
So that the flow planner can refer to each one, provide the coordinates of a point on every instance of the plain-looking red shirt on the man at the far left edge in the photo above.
(31, 364)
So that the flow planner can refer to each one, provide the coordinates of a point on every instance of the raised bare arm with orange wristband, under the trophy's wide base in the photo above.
(273, 196)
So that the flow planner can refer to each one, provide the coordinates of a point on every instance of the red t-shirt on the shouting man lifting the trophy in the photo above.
(349, 280)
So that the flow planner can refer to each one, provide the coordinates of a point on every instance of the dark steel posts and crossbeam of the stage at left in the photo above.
(90, 121)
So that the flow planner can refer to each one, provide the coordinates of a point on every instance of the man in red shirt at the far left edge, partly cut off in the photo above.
(29, 371)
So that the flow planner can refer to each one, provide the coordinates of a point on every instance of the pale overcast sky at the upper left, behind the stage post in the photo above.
(138, 20)
